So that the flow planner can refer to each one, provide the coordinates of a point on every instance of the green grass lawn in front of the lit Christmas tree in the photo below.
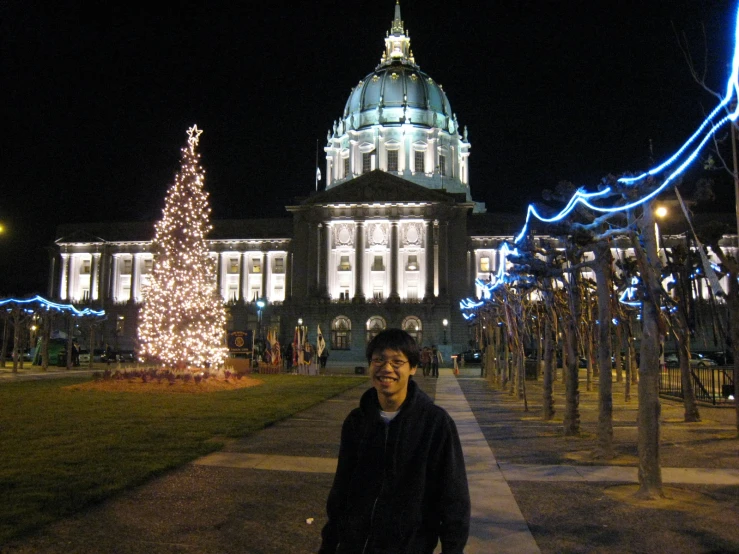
(62, 450)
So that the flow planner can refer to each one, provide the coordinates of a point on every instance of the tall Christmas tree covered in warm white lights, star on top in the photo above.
(183, 319)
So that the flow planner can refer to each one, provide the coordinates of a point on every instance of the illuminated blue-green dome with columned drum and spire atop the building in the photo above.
(399, 120)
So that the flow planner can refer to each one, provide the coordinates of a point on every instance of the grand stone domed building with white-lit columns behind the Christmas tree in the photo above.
(394, 240)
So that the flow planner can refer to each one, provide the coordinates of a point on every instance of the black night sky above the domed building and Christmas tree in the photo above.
(95, 101)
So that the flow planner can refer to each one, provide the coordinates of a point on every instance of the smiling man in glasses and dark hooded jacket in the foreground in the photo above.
(400, 483)
